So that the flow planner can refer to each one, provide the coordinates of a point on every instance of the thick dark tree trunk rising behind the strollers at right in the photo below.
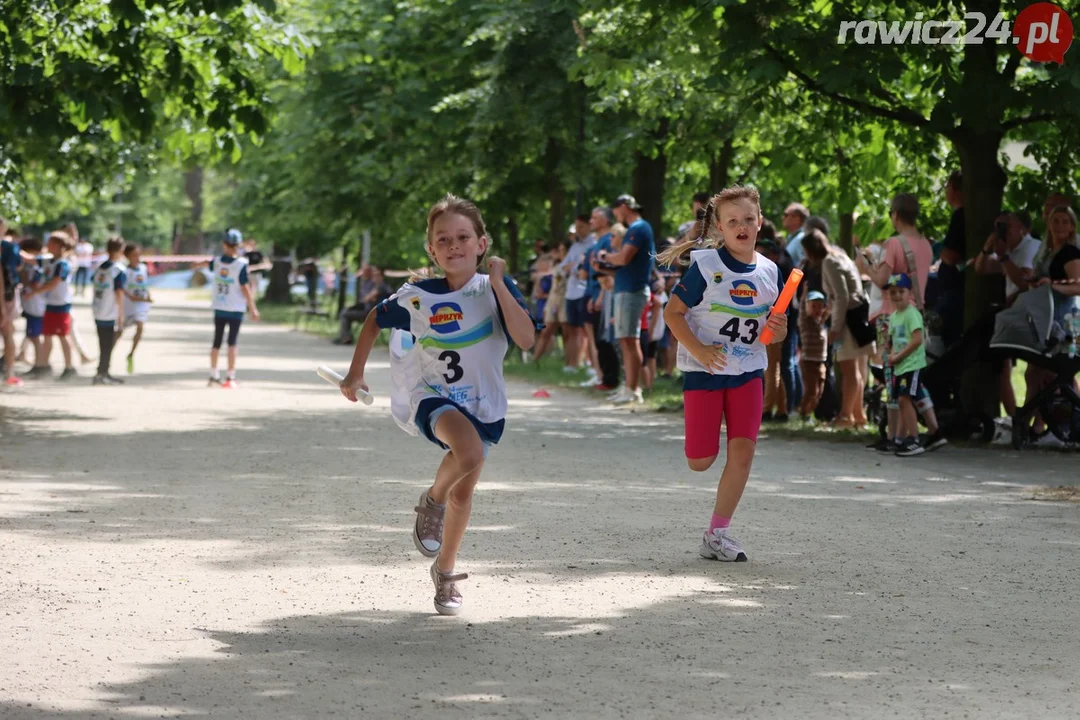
(984, 183)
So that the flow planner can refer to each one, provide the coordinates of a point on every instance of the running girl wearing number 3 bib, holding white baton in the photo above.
(448, 384)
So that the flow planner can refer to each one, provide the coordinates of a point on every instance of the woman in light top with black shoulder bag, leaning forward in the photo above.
(844, 288)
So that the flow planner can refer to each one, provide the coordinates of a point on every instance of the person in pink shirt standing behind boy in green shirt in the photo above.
(909, 252)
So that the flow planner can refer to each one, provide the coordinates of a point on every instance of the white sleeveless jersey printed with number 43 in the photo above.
(733, 313)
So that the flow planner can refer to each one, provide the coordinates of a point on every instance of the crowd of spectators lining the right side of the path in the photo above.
(602, 295)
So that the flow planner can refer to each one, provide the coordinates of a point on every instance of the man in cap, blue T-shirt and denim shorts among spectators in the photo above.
(634, 263)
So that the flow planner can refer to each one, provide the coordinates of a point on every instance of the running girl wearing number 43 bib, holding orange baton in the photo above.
(718, 314)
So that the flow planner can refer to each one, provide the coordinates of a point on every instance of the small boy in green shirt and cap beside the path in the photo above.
(908, 356)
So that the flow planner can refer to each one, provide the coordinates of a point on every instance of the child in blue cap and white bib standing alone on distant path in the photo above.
(233, 296)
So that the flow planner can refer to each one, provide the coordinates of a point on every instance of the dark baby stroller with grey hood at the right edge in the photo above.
(1043, 329)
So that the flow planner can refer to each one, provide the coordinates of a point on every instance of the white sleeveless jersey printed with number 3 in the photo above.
(457, 350)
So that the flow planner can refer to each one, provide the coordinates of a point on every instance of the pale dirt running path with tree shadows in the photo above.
(174, 551)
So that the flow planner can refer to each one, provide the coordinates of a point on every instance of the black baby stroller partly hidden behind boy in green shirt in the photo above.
(942, 379)
